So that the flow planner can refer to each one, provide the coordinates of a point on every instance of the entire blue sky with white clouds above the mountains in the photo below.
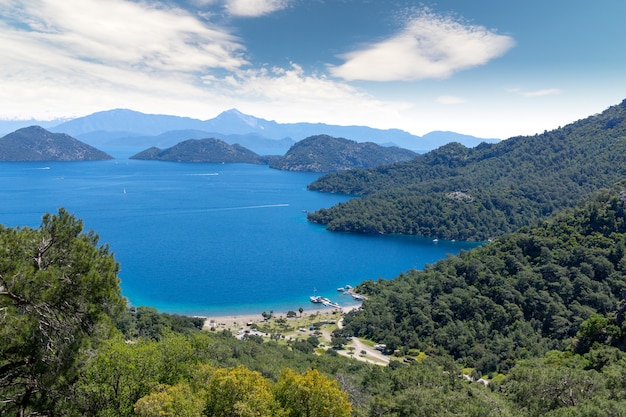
(488, 68)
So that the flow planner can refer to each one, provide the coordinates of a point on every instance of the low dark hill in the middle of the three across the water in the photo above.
(202, 150)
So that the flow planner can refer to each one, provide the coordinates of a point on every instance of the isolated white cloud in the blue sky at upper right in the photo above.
(430, 46)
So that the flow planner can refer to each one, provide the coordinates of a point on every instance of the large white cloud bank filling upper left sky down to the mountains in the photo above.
(76, 57)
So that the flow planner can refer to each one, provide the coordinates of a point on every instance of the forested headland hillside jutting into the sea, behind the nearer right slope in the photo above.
(479, 193)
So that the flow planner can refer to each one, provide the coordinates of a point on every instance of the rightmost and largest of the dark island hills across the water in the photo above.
(323, 153)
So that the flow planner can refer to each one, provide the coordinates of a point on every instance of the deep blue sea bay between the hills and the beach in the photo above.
(207, 239)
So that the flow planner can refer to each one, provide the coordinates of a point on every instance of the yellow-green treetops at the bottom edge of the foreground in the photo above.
(241, 392)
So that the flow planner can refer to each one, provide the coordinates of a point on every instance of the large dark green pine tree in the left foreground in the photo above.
(58, 290)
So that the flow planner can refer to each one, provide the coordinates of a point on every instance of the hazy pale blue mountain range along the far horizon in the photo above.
(122, 127)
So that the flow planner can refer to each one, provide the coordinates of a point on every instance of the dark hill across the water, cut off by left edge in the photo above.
(35, 143)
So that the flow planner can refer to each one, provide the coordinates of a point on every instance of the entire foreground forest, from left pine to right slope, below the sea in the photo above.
(531, 324)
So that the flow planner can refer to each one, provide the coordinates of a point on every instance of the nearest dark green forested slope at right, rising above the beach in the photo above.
(518, 297)
